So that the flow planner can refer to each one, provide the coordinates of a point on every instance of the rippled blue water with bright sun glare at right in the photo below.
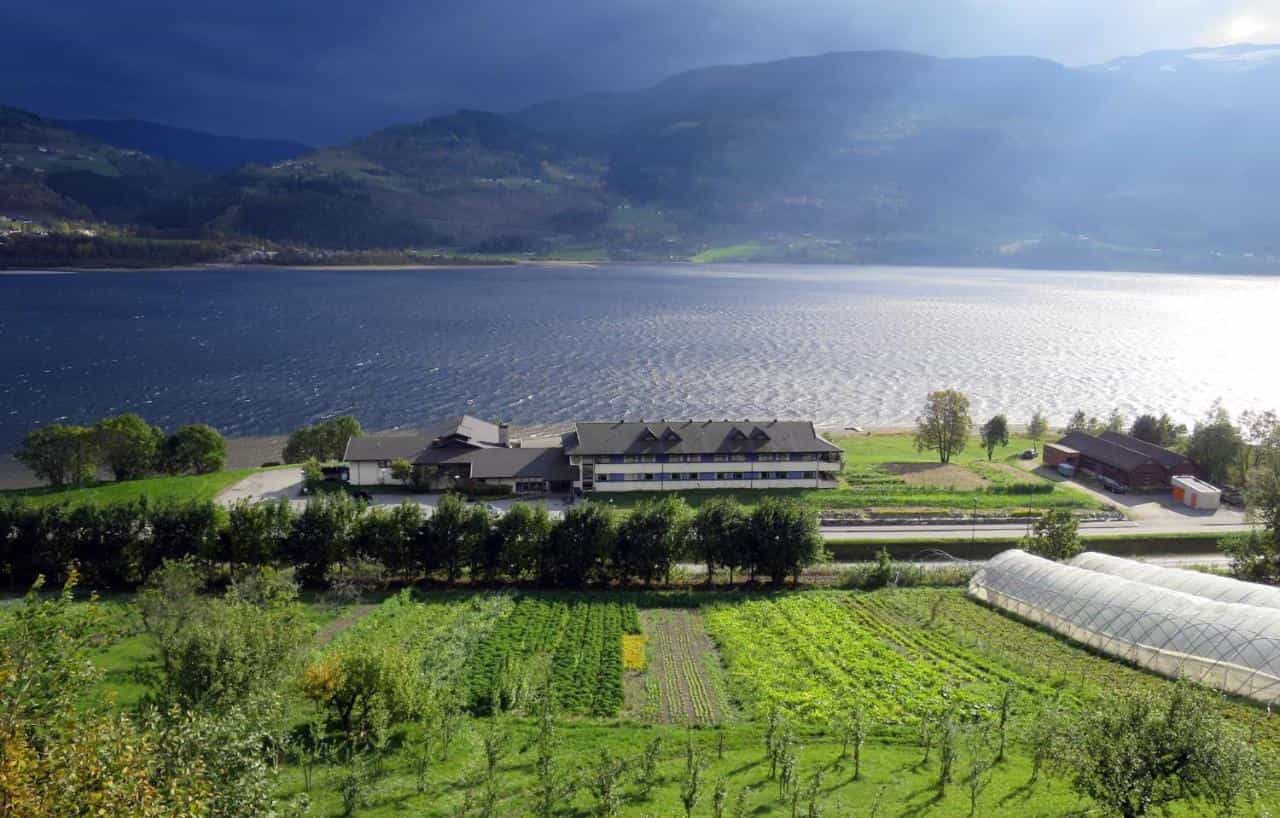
(266, 350)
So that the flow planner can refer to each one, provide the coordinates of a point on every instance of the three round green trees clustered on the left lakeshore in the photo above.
(126, 445)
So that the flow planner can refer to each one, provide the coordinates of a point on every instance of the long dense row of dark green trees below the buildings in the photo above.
(121, 545)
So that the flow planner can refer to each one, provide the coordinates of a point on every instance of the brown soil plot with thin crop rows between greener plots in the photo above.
(684, 684)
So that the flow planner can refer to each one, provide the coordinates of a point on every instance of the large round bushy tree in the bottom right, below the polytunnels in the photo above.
(1141, 753)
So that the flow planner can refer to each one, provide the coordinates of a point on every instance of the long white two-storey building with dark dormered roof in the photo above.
(673, 456)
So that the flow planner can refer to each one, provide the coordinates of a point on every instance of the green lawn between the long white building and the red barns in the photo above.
(885, 474)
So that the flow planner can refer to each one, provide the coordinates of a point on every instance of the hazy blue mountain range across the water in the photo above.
(1164, 161)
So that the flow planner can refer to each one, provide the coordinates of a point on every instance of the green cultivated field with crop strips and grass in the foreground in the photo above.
(703, 669)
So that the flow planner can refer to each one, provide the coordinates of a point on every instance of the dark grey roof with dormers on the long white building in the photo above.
(696, 437)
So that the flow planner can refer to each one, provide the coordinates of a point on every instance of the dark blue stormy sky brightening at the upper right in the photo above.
(328, 71)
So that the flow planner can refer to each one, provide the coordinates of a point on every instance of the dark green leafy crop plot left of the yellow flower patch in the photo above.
(572, 646)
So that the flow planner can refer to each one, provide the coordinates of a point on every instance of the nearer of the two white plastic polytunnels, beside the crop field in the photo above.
(1232, 647)
